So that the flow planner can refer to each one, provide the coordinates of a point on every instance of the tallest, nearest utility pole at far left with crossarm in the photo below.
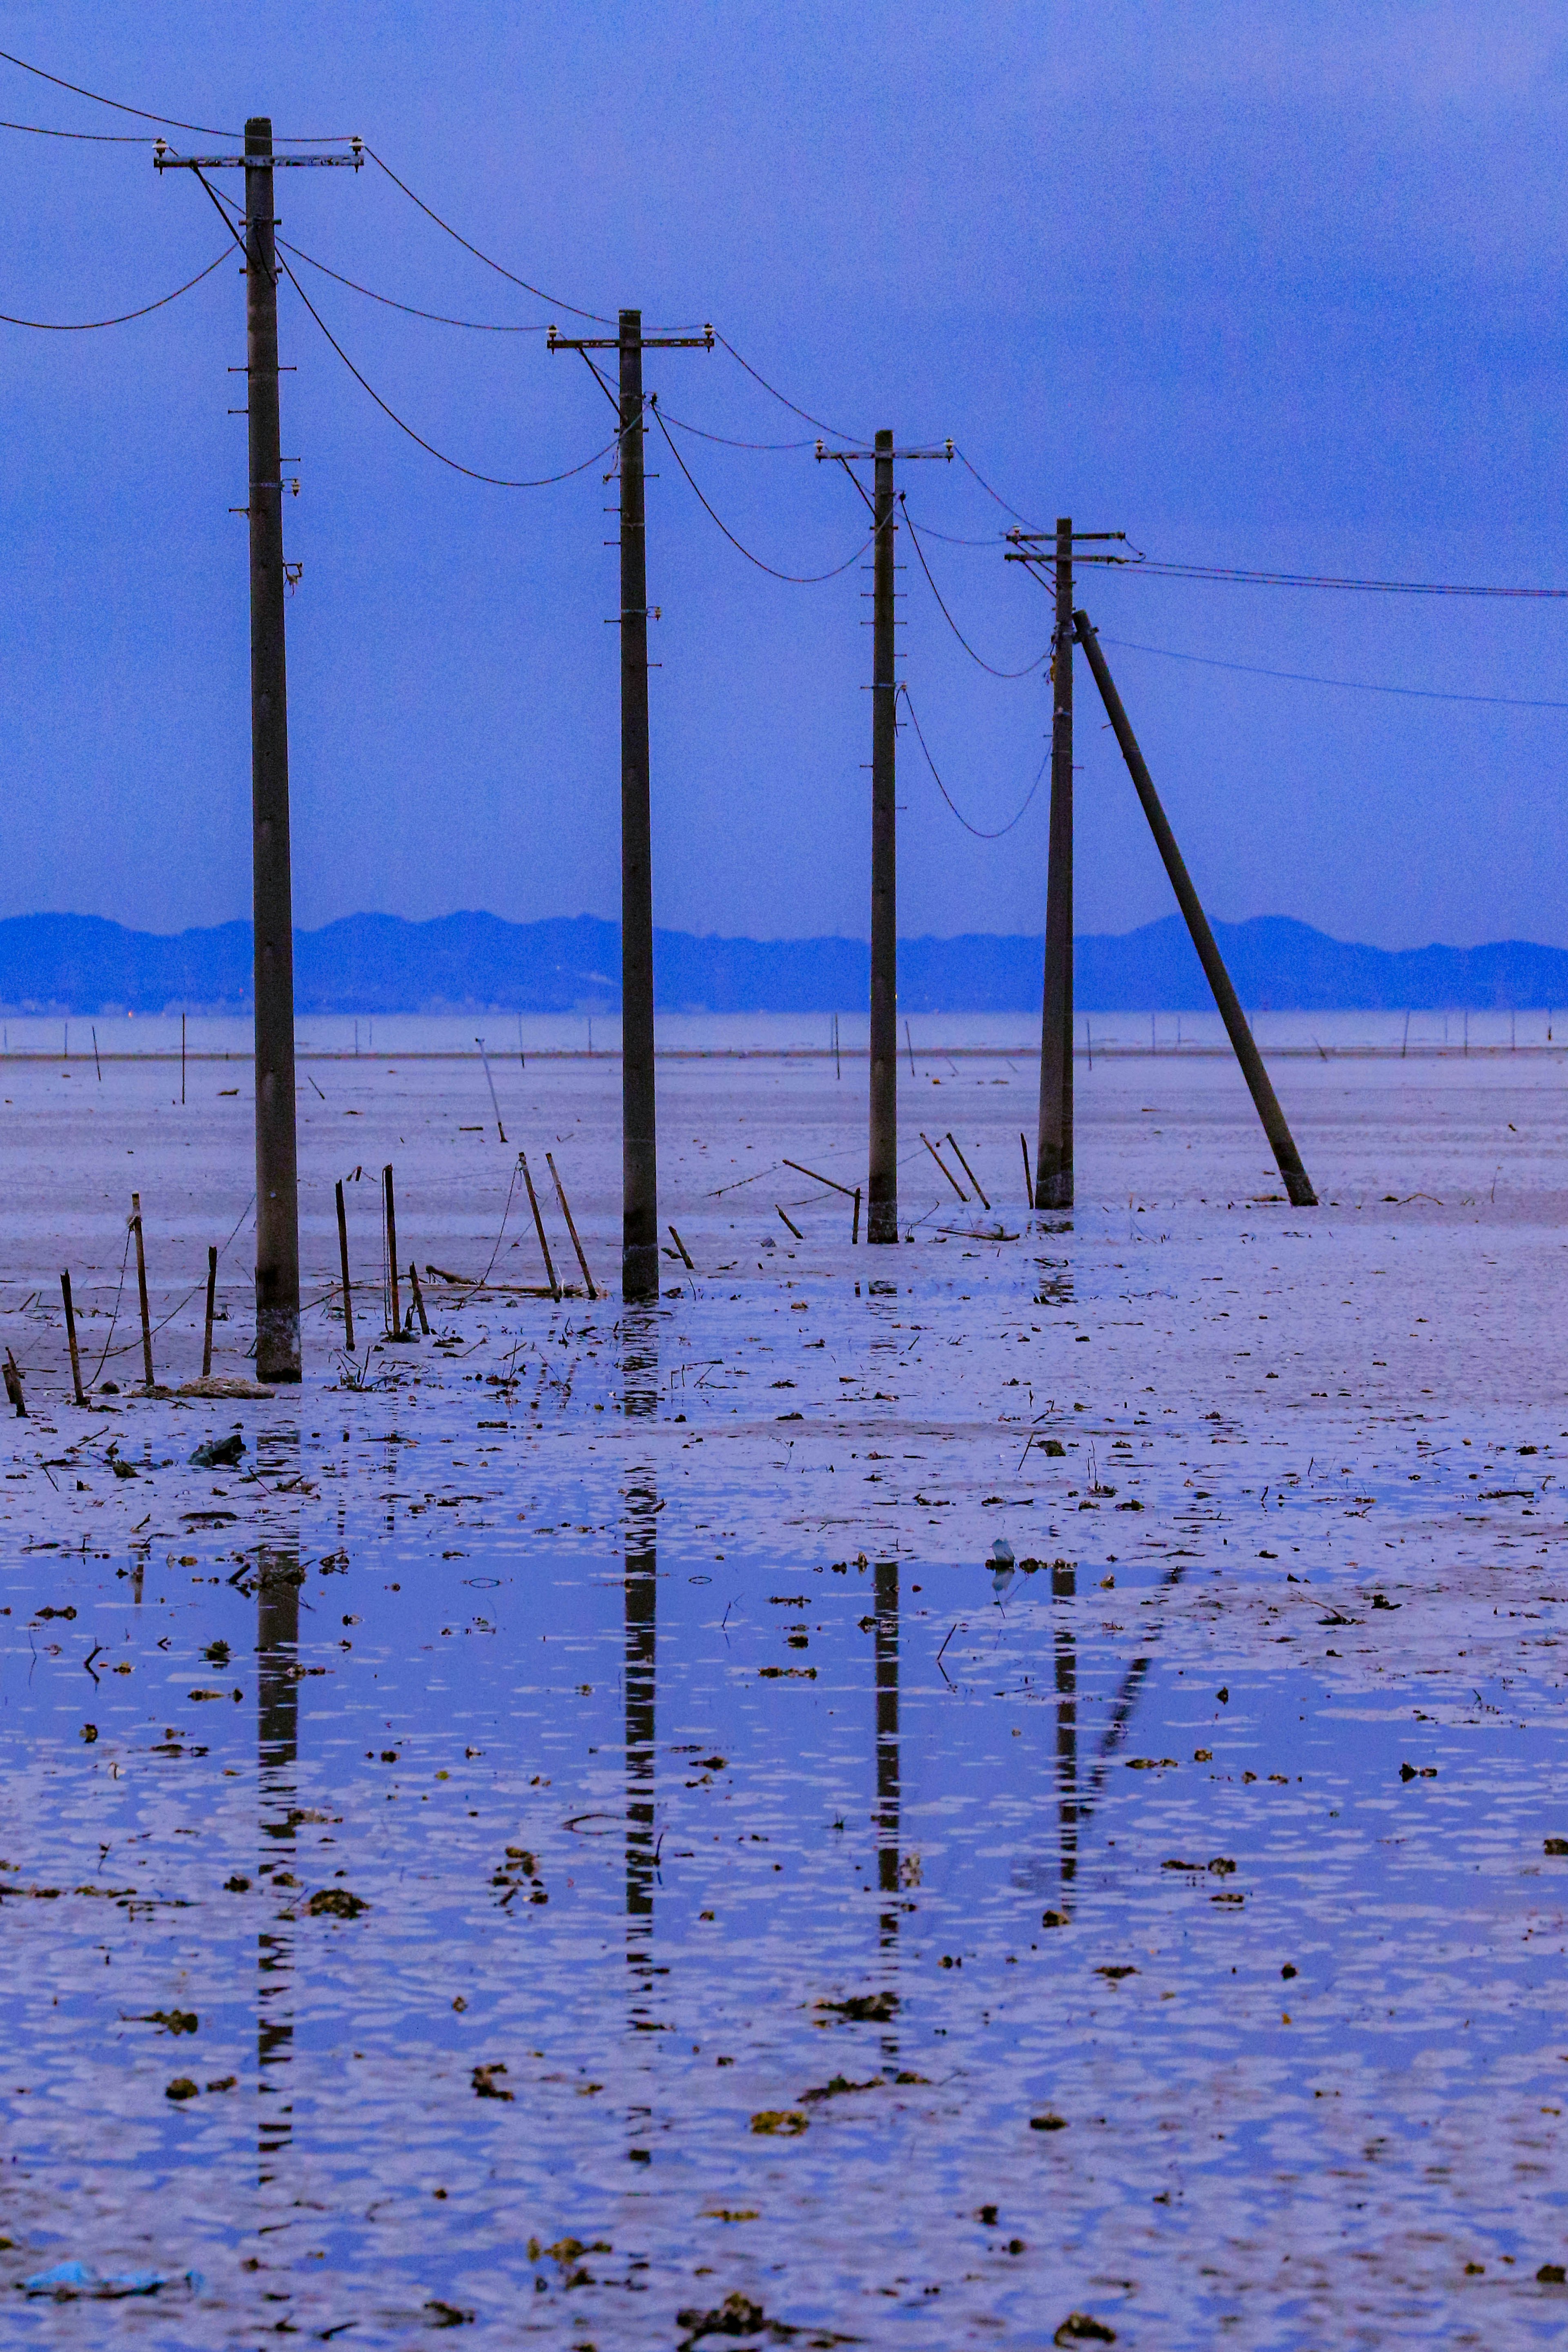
(272, 878)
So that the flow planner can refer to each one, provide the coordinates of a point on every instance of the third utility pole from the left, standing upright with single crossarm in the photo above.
(883, 1170)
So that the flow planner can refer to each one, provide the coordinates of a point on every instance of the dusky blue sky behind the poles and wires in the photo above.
(1261, 286)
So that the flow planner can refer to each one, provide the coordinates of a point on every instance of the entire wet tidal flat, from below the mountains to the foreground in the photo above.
(655, 1885)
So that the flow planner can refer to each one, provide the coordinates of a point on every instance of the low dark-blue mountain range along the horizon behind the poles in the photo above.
(384, 965)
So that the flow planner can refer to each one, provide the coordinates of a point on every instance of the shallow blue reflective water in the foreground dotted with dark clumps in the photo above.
(626, 1822)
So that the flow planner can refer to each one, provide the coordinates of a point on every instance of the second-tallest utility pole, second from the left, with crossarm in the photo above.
(638, 1107)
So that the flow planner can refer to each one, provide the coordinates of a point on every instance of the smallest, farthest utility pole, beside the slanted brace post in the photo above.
(1054, 1144)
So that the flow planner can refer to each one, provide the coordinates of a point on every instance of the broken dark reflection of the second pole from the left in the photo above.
(641, 1403)
